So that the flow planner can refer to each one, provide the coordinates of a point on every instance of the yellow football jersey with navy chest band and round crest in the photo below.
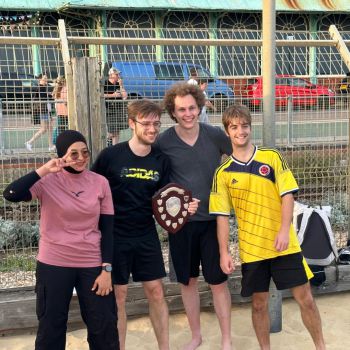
(254, 190)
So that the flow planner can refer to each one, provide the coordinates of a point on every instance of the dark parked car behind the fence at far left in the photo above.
(17, 87)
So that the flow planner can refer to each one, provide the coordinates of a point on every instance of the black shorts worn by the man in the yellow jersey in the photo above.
(287, 271)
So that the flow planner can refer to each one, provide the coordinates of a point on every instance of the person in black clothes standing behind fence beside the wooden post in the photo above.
(115, 93)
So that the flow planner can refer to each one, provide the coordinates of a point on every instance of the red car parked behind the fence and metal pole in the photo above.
(303, 93)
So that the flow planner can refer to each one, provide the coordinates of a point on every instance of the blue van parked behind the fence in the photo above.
(152, 79)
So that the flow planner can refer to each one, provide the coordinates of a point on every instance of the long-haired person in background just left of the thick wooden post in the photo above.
(60, 96)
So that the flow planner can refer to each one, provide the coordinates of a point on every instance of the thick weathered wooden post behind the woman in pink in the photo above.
(88, 106)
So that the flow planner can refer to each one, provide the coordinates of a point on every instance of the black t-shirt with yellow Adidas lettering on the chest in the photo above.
(133, 180)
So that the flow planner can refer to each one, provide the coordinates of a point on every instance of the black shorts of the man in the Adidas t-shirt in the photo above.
(142, 257)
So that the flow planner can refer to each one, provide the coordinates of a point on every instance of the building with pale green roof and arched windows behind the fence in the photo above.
(225, 19)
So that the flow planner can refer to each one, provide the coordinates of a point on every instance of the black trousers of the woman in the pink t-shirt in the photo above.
(54, 289)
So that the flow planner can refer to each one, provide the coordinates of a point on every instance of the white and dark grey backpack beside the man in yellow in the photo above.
(316, 239)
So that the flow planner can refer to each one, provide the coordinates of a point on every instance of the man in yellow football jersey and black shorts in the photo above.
(258, 185)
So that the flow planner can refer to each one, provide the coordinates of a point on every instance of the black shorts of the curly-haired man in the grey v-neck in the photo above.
(196, 244)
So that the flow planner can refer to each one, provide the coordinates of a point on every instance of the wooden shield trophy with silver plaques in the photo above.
(170, 206)
